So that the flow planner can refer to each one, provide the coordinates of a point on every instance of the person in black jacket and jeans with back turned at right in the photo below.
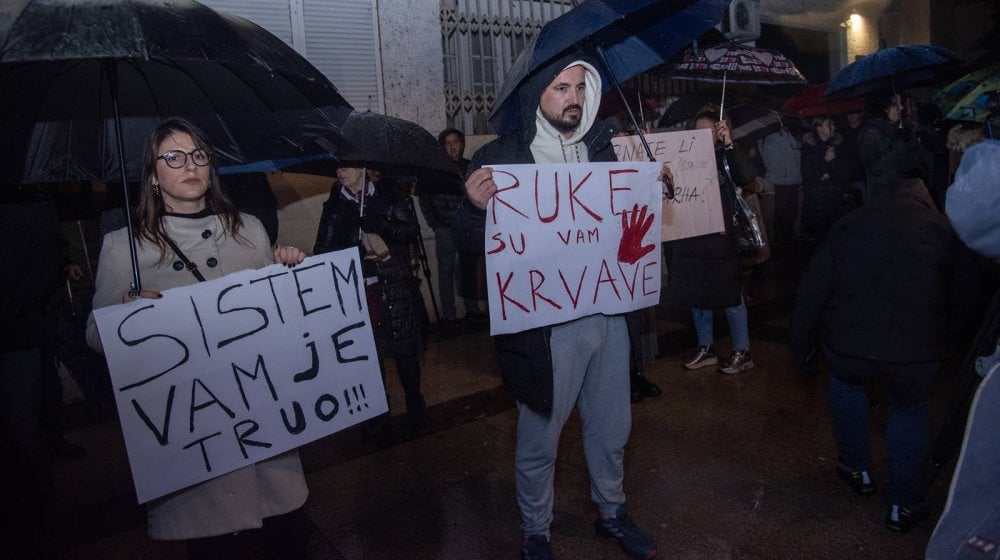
(881, 298)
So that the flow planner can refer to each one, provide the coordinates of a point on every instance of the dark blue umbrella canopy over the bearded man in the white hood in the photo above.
(632, 36)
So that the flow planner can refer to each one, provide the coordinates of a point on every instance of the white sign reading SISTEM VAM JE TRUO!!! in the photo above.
(221, 374)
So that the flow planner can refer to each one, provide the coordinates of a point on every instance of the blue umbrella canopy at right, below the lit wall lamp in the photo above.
(894, 67)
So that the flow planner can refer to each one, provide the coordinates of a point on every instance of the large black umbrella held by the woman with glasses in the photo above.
(83, 81)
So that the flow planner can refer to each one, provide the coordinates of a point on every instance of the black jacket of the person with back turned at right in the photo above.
(891, 283)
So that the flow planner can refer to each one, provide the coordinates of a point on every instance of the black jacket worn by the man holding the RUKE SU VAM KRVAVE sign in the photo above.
(525, 357)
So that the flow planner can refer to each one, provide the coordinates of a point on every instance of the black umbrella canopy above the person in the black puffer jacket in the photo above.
(387, 144)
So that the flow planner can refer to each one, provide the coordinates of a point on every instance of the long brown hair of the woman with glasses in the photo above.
(150, 208)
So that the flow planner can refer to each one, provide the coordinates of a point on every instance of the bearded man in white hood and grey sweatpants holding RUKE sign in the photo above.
(582, 362)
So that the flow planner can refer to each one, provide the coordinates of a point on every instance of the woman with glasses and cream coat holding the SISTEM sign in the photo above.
(184, 217)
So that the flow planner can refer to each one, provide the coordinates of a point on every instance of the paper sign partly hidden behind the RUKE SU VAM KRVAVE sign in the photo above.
(696, 208)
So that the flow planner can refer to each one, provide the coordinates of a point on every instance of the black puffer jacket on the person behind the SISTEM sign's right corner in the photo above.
(389, 213)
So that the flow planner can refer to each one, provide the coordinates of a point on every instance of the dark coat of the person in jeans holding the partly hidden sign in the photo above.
(704, 271)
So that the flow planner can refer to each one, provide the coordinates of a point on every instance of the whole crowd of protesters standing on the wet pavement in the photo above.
(888, 287)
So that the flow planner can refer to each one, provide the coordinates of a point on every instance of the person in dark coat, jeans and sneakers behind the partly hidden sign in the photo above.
(705, 271)
